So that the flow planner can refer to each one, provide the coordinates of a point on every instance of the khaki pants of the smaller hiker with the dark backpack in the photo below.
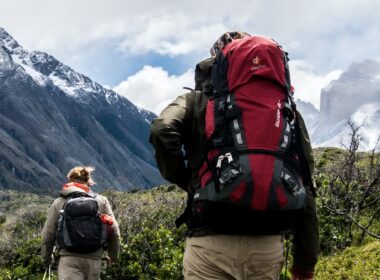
(78, 268)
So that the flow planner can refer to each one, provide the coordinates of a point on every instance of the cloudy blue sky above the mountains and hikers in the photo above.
(146, 50)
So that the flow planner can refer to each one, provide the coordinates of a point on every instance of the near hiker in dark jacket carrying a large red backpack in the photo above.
(240, 149)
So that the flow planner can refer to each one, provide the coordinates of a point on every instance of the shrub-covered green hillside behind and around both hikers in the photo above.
(152, 248)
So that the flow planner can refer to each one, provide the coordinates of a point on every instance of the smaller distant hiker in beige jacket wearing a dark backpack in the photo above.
(81, 224)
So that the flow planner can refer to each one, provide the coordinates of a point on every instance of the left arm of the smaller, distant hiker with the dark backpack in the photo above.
(48, 234)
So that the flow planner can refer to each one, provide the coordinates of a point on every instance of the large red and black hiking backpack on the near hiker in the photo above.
(251, 155)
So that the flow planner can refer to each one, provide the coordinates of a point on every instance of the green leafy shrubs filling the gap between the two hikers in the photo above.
(152, 247)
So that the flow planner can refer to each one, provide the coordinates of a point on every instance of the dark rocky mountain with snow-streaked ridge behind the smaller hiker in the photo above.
(53, 118)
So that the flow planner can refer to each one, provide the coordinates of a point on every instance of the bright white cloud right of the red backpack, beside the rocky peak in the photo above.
(307, 83)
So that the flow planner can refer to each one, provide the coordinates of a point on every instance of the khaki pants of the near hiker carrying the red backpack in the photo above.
(233, 257)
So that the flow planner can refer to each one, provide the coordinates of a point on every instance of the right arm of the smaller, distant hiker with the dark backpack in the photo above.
(114, 234)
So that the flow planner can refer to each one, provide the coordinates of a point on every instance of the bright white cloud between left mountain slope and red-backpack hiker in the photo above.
(153, 88)
